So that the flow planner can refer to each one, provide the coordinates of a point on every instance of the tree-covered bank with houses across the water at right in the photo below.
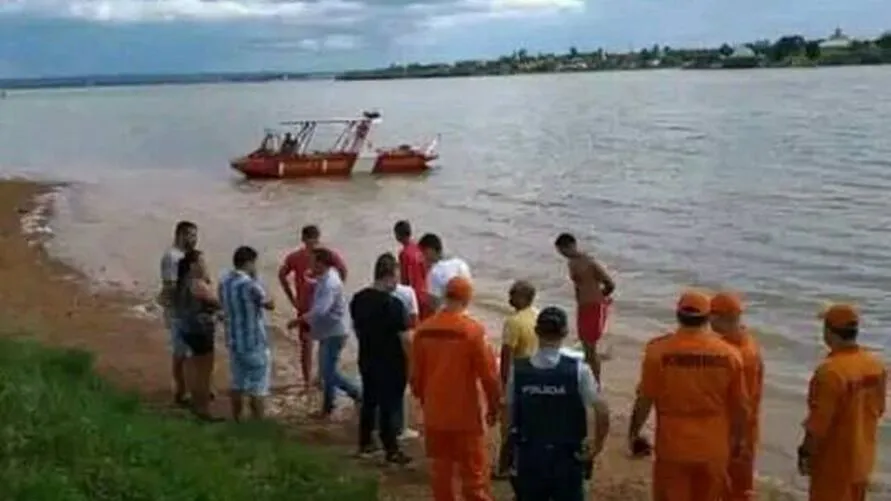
(786, 51)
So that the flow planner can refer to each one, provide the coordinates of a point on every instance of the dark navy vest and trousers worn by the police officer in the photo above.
(549, 428)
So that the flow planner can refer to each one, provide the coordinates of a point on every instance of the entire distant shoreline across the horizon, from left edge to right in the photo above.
(789, 51)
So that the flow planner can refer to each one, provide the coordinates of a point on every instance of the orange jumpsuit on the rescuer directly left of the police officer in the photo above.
(450, 359)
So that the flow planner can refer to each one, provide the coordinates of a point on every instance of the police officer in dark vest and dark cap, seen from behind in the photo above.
(548, 396)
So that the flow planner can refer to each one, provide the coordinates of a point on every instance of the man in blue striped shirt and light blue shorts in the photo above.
(244, 301)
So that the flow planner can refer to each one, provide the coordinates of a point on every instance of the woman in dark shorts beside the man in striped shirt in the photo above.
(196, 304)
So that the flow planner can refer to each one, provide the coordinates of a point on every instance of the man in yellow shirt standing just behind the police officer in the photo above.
(518, 341)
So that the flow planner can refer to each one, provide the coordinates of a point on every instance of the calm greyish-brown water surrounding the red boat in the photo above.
(774, 183)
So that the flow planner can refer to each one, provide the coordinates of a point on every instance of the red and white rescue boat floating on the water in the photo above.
(286, 153)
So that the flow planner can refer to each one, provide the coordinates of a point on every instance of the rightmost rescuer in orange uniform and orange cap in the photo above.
(846, 402)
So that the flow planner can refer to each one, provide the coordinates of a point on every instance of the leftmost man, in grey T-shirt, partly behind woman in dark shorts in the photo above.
(185, 238)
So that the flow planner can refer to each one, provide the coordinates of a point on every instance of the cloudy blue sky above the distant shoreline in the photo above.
(40, 38)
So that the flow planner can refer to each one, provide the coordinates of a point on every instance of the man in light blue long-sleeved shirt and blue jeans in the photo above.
(326, 319)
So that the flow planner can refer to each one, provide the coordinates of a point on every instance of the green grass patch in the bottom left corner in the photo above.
(67, 435)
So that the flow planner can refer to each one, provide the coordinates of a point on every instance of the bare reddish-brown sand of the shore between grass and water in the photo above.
(55, 304)
